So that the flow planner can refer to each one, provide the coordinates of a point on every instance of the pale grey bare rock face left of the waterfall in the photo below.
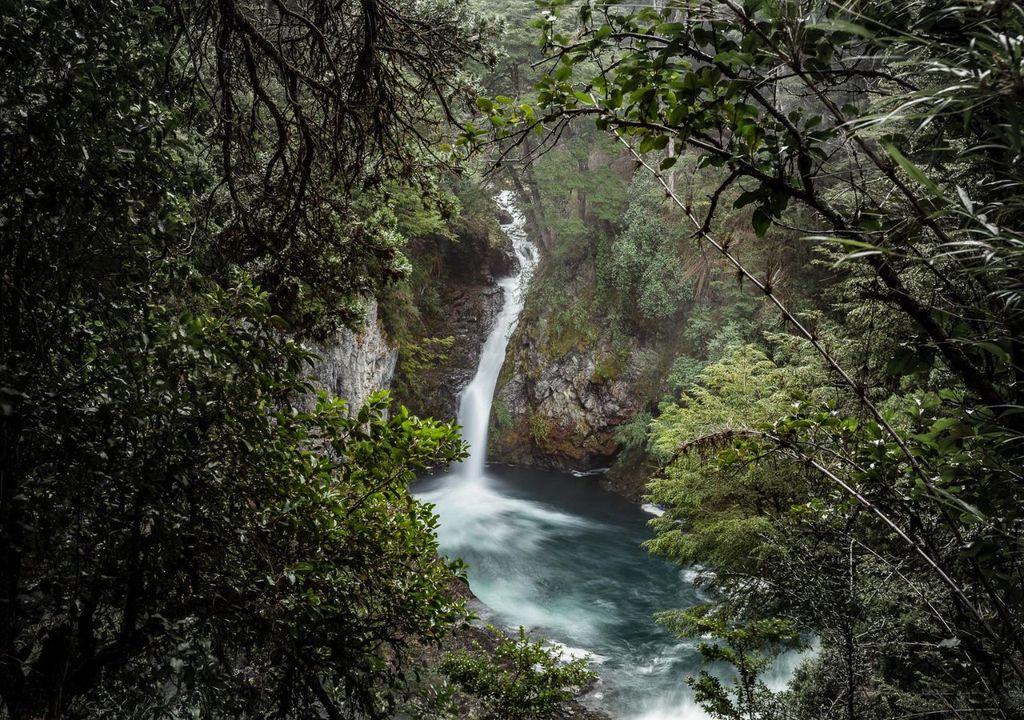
(353, 365)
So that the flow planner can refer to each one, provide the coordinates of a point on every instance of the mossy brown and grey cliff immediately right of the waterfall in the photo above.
(575, 371)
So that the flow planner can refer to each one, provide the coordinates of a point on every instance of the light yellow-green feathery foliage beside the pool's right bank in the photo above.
(731, 525)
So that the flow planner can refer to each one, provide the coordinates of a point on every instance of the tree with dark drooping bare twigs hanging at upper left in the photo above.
(313, 109)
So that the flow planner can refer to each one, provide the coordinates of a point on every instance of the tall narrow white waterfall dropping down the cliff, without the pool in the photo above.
(475, 405)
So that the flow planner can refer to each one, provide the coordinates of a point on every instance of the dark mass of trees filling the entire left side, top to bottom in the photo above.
(182, 197)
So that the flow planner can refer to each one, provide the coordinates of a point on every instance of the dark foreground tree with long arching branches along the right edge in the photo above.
(888, 135)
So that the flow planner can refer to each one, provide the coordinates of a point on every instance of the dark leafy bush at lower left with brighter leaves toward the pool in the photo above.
(196, 532)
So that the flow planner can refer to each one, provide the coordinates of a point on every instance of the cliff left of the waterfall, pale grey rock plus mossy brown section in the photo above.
(452, 298)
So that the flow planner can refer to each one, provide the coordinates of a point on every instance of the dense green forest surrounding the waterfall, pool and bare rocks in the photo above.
(791, 228)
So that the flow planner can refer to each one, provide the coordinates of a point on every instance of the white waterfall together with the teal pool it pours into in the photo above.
(560, 556)
